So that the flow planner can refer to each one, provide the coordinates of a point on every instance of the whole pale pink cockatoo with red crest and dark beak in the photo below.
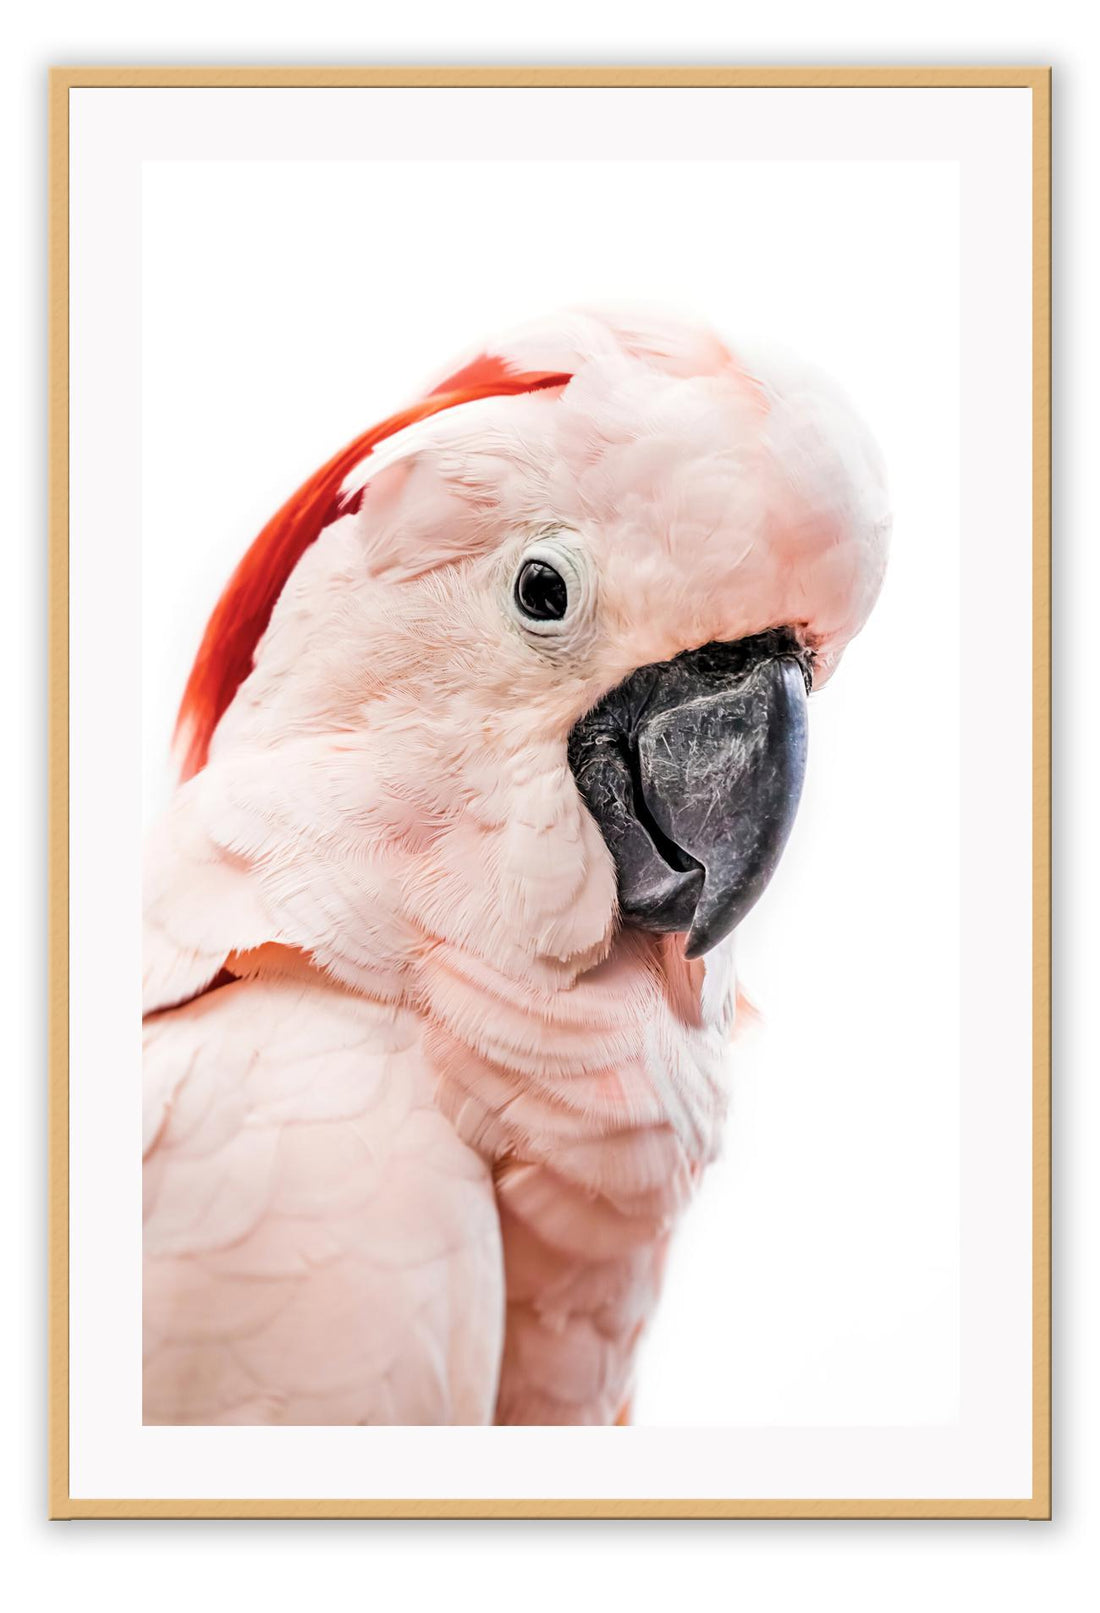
(493, 740)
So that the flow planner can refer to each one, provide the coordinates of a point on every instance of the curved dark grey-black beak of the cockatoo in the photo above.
(693, 770)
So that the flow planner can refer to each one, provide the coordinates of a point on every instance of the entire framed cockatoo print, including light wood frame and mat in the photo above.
(549, 793)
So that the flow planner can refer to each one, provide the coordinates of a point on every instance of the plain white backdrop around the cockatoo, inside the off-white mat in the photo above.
(819, 1280)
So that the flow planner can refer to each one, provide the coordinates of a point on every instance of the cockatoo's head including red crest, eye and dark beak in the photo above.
(567, 612)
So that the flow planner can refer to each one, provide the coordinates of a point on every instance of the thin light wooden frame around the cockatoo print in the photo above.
(67, 81)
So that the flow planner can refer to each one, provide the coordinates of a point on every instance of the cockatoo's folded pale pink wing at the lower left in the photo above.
(320, 1246)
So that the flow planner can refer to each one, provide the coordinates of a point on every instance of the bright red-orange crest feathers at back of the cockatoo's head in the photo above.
(244, 611)
